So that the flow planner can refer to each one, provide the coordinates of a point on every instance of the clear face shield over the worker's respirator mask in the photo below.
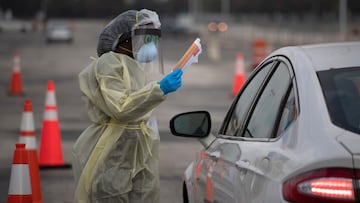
(146, 50)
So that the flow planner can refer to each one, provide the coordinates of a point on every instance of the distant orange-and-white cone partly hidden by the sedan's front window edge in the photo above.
(240, 77)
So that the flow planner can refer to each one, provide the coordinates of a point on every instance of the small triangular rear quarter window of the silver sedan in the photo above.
(289, 112)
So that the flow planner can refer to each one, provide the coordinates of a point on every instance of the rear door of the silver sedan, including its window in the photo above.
(267, 119)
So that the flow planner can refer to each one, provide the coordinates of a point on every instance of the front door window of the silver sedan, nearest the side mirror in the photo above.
(245, 100)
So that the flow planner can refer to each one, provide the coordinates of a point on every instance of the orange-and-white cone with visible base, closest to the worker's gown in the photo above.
(51, 155)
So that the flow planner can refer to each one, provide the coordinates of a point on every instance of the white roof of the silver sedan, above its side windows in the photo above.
(326, 55)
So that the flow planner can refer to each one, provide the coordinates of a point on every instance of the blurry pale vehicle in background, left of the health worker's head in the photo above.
(59, 32)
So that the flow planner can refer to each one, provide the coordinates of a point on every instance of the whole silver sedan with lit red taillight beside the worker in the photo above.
(292, 134)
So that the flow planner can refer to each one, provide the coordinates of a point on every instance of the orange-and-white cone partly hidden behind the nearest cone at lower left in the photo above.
(27, 136)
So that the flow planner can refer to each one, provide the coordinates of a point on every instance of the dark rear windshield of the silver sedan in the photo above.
(341, 88)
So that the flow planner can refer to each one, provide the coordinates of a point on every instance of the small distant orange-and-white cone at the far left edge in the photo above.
(16, 81)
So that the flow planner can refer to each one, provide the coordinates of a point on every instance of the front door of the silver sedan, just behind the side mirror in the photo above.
(215, 184)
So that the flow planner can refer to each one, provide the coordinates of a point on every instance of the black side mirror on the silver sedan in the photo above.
(195, 124)
